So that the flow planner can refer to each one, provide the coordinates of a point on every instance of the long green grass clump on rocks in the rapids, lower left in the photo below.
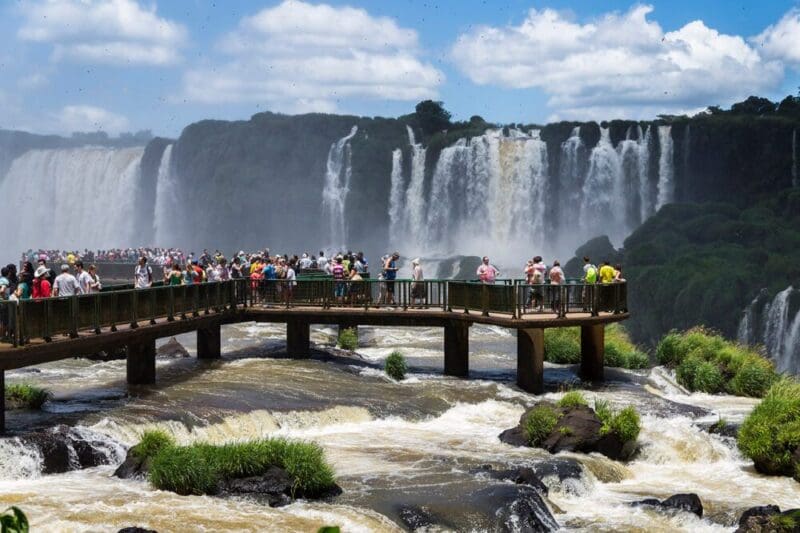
(198, 468)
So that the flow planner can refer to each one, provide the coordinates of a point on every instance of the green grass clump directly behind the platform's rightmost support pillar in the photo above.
(563, 346)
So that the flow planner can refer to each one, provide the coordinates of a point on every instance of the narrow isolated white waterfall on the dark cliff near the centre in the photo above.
(337, 186)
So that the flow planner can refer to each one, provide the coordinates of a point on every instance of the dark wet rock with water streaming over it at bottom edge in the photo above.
(519, 508)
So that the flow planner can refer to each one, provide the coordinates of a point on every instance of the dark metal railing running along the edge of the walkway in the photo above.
(92, 313)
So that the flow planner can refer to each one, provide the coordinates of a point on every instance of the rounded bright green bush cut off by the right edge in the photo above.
(770, 435)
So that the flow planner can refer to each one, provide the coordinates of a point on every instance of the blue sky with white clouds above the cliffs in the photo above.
(129, 65)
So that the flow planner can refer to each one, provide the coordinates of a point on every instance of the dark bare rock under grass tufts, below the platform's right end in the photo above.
(577, 430)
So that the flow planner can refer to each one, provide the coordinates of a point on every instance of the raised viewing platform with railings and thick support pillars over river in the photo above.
(52, 329)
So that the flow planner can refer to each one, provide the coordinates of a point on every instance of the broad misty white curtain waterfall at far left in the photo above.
(70, 198)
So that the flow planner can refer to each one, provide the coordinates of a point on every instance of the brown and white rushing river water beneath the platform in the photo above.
(419, 442)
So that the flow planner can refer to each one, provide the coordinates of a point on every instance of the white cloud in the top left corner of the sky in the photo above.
(103, 31)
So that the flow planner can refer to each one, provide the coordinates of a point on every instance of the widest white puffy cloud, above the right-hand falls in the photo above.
(620, 62)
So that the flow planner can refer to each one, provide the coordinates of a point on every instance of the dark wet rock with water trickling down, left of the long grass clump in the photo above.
(64, 448)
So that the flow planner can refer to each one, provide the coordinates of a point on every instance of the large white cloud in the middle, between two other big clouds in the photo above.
(304, 57)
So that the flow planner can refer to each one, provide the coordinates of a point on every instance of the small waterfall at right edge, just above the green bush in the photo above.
(775, 325)
